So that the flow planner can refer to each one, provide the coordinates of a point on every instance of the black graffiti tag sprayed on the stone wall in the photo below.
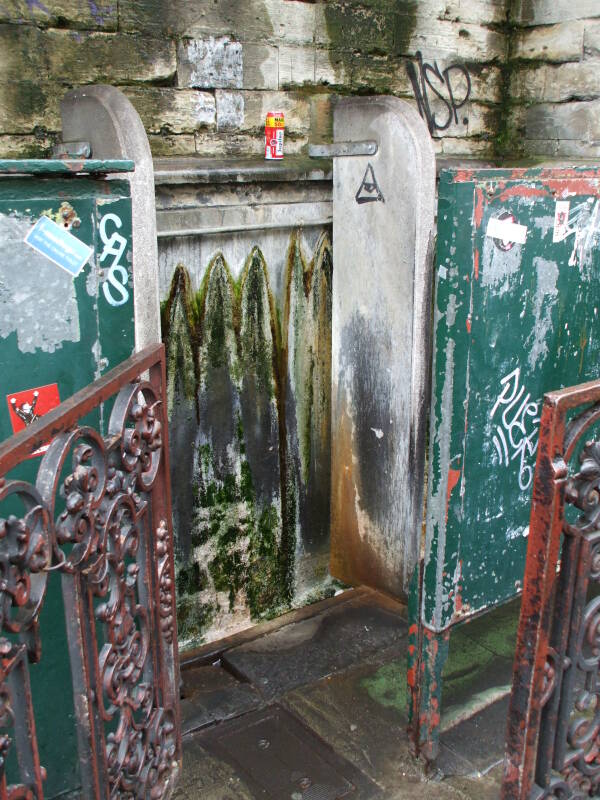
(430, 79)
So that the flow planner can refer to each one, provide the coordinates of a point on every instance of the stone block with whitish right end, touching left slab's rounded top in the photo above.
(171, 110)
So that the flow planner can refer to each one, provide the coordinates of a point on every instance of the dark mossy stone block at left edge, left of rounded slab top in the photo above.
(29, 105)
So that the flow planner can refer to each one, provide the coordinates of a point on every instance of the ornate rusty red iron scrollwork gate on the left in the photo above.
(100, 515)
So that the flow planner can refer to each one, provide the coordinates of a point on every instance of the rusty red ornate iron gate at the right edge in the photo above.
(553, 740)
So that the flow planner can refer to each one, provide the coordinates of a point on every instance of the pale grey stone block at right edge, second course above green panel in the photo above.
(578, 121)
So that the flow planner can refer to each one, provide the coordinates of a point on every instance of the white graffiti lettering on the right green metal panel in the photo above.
(516, 435)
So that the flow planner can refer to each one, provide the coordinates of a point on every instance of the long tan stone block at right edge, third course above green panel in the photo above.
(575, 80)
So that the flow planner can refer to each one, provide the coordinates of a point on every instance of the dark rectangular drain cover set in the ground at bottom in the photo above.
(280, 758)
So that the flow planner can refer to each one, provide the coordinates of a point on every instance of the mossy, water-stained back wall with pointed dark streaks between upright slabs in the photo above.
(249, 410)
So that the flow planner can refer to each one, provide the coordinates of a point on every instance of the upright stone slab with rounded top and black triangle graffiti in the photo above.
(382, 280)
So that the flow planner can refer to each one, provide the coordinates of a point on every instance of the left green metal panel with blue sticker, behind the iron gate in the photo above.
(56, 329)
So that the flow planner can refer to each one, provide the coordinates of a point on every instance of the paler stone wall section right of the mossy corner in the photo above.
(554, 78)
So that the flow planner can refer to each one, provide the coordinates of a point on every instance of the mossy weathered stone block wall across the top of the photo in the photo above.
(203, 74)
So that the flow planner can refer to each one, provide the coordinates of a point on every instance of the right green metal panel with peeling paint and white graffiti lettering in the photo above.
(513, 320)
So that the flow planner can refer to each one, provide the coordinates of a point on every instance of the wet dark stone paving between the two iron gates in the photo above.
(352, 708)
